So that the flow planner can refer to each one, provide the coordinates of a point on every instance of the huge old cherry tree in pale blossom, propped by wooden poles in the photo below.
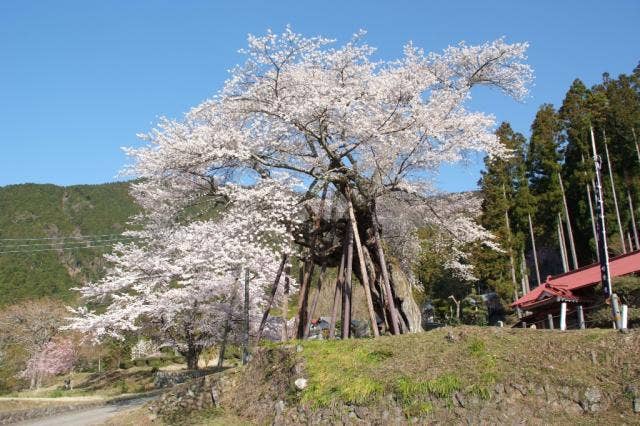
(339, 128)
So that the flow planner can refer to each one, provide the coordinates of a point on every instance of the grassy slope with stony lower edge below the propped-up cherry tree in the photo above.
(447, 376)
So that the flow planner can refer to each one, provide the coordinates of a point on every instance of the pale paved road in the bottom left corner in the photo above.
(90, 416)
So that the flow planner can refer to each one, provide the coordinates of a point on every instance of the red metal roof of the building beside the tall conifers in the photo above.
(562, 286)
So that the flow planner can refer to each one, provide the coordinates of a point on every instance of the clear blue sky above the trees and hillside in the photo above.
(79, 79)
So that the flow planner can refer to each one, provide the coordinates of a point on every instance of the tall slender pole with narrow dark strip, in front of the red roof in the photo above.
(602, 237)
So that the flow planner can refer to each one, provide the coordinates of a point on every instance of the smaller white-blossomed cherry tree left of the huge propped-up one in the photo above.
(181, 282)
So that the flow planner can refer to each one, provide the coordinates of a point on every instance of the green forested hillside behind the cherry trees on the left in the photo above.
(49, 215)
